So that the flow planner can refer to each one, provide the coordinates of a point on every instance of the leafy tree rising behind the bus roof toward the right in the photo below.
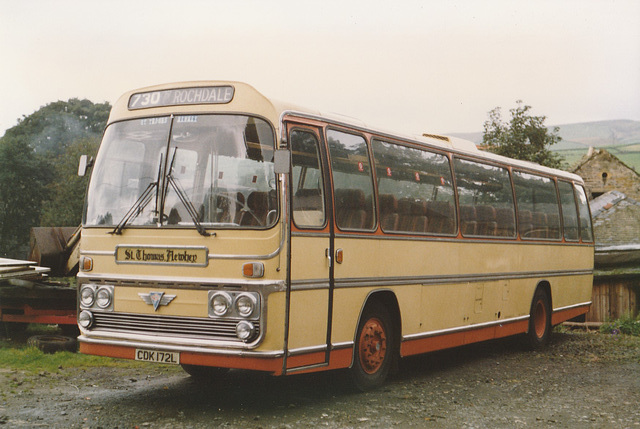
(524, 137)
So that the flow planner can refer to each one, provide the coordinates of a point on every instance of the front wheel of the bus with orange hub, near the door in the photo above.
(374, 348)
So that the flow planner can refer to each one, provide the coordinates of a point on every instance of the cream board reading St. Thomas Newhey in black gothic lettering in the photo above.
(191, 256)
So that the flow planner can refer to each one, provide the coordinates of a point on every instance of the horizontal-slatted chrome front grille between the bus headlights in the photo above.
(183, 327)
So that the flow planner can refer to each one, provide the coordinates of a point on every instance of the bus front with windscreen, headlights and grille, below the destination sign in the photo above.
(182, 243)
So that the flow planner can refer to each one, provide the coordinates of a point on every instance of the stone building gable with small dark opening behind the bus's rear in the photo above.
(603, 172)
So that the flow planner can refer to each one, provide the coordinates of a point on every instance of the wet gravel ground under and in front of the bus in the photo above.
(584, 380)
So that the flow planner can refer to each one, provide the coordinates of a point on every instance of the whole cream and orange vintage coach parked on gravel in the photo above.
(223, 229)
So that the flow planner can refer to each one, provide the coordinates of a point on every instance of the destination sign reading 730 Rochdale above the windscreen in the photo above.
(182, 96)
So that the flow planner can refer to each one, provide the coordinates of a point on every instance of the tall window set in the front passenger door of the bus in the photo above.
(308, 189)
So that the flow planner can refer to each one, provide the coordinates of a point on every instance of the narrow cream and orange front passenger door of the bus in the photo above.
(310, 298)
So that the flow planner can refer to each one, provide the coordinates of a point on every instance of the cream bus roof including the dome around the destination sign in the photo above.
(238, 97)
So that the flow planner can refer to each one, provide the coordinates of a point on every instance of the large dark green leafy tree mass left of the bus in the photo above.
(38, 162)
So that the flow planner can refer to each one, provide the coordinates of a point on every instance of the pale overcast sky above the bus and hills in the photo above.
(434, 66)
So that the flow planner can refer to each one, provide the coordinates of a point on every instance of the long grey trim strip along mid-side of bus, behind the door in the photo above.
(452, 279)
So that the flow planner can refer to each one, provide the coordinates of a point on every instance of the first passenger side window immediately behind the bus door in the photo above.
(352, 181)
